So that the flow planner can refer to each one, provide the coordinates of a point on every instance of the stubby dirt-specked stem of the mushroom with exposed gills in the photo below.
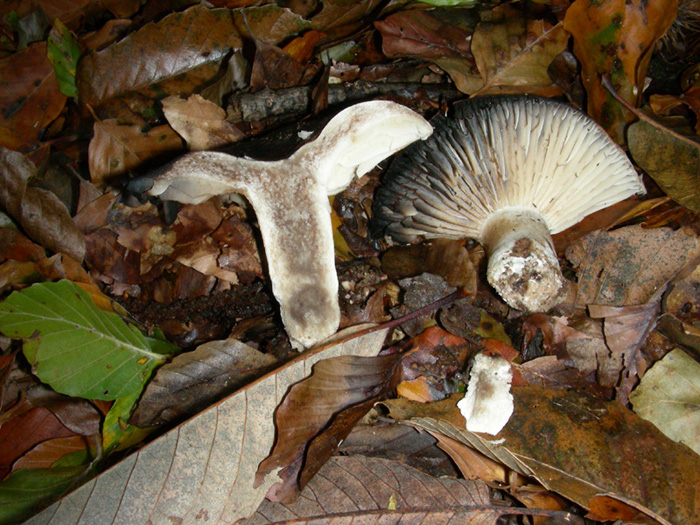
(522, 265)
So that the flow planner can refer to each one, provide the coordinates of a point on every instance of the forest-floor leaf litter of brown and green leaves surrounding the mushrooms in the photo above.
(195, 273)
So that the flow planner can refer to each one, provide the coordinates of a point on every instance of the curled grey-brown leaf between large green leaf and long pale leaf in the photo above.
(193, 380)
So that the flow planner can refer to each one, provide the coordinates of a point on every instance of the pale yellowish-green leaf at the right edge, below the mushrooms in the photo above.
(668, 396)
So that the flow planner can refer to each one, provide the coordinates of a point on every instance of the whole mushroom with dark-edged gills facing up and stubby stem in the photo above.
(508, 171)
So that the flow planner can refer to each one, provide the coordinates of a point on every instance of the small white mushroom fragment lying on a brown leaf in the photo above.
(488, 403)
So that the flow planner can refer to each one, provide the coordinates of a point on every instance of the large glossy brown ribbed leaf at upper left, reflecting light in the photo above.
(176, 55)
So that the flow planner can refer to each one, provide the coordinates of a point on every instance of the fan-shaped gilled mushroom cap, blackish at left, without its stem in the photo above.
(499, 152)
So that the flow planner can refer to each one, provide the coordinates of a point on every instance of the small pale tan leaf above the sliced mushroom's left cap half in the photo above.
(202, 124)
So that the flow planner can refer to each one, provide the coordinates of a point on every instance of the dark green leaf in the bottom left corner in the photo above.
(27, 491)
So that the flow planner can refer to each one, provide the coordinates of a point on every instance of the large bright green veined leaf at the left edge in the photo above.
(75, 347)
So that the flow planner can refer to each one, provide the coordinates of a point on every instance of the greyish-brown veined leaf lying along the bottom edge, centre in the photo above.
(360, 490)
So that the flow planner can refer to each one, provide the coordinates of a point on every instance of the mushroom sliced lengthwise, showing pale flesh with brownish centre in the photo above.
(290, 199)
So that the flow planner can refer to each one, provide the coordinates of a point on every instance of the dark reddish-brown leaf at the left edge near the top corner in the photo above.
(29, 96)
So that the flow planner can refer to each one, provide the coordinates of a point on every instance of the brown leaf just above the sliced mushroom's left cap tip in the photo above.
(115, 149)
